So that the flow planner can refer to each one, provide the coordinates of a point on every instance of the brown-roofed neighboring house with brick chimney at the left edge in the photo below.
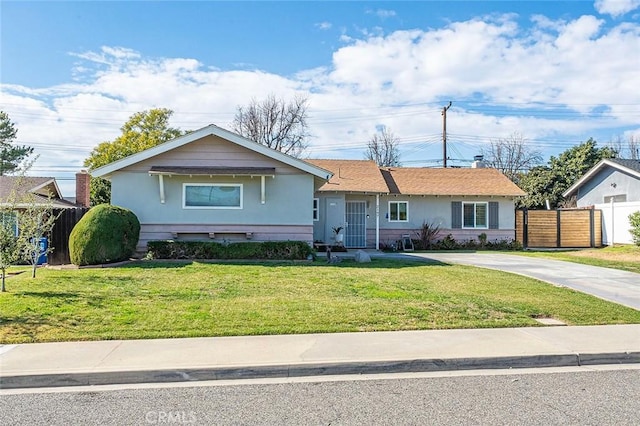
(16, 191)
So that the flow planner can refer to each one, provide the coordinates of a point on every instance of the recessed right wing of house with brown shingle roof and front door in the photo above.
(380, 205)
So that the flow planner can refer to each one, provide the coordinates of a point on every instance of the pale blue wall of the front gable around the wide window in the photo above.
(285, 215)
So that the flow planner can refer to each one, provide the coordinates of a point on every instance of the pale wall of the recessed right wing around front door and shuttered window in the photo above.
(432, 209)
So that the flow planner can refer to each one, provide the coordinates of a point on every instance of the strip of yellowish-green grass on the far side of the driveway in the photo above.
(623, 257)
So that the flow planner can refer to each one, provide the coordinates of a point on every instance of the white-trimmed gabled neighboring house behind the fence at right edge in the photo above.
(610, 180)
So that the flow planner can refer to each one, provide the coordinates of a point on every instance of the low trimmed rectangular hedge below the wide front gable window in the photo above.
(269, 250)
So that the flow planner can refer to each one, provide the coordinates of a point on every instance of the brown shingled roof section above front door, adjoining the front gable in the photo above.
(352, 176)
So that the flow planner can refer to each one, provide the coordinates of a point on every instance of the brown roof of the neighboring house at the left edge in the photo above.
(19, 187)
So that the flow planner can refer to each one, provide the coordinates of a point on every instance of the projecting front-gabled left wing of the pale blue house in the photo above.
(212, 183)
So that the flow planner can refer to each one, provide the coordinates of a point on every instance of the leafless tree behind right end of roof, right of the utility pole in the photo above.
(512, 156)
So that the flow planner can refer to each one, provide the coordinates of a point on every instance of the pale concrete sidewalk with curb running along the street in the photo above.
(196, 359)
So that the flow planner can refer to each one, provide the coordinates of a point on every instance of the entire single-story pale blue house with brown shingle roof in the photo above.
(215, 184)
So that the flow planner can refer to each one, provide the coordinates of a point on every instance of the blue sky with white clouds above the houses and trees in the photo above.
(557, 73)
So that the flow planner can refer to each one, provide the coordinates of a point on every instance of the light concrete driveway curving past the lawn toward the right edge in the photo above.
(610, 284)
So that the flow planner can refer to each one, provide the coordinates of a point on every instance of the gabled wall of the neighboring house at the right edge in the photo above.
(607, 182)
